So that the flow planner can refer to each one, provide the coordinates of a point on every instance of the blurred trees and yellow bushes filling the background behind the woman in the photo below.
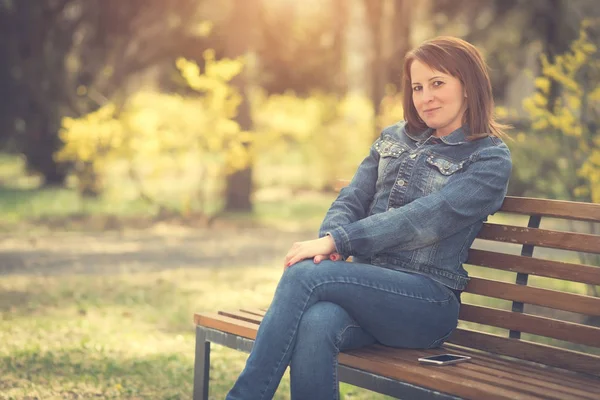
(201, 100)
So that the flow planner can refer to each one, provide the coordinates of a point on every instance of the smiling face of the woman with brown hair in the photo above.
(439, 98)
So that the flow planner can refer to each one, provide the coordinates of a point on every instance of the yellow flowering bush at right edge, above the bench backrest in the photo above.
(574, 116)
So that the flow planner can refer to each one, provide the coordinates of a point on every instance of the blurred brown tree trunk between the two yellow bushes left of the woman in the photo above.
(239, 42)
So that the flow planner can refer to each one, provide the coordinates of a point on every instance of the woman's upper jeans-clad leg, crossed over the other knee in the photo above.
(399, 309)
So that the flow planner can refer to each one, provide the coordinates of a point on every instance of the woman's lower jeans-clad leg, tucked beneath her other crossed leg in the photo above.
(325, 329)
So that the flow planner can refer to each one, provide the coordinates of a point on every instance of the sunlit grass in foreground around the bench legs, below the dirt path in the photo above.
(122, 336)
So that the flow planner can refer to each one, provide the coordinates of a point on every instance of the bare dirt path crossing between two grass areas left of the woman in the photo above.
(157, 248)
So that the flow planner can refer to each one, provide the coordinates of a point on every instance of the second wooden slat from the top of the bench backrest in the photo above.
(541, 237)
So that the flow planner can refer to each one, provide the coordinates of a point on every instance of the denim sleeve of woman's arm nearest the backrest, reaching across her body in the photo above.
(467, 198)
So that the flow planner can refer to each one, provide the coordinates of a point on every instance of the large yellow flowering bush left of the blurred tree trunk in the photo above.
(187, 142)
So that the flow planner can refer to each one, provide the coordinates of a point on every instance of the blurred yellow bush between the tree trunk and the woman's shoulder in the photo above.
(330, 134)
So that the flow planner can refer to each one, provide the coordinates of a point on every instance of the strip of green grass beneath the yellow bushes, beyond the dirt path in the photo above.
(26, 205)
